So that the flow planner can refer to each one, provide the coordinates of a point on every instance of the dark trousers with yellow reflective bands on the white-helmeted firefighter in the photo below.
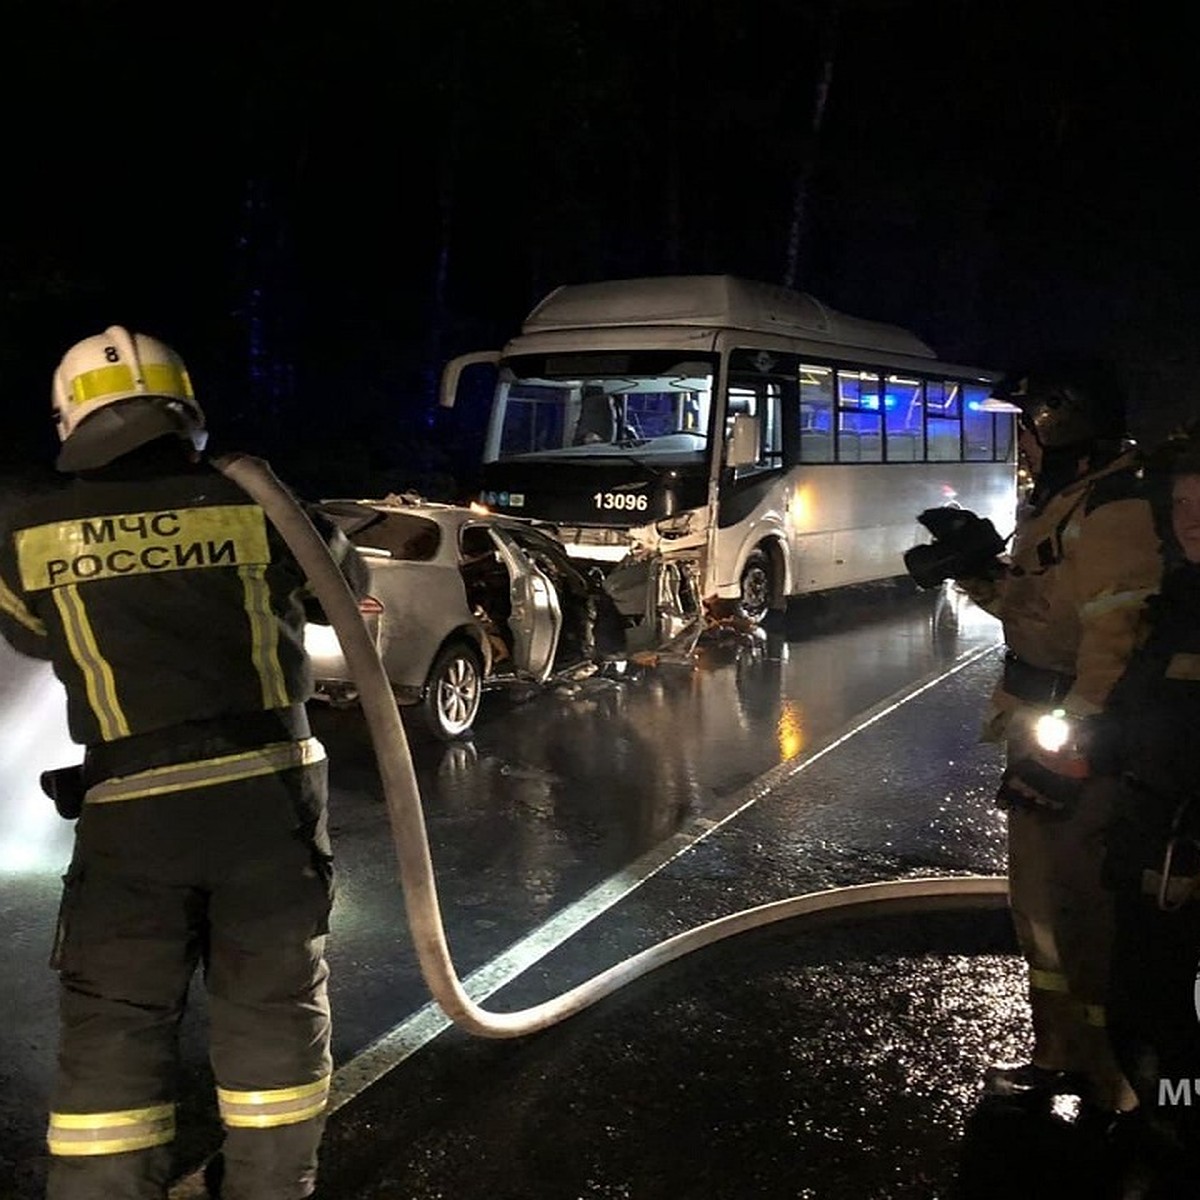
(235, 878)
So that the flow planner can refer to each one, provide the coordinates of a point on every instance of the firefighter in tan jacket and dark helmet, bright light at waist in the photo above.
(1084, 559)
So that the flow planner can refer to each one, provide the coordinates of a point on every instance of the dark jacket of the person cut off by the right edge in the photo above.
(1148, 735)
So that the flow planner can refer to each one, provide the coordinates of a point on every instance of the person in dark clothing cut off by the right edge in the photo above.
(1147, 741)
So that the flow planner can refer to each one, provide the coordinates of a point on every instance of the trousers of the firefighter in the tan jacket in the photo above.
(1064, 920)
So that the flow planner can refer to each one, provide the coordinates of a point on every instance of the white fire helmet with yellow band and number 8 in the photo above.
(117, 392)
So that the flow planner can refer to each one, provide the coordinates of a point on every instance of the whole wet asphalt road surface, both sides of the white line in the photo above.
(556, 795)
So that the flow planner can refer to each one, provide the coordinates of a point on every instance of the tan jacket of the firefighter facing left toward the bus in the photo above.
(1071, 595)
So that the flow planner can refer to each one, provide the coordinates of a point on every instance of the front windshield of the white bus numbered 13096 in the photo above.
(649, 405)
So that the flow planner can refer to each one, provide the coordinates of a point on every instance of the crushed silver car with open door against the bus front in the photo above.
(461, 602)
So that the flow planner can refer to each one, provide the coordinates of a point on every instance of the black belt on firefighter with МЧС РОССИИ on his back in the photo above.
(193, 741)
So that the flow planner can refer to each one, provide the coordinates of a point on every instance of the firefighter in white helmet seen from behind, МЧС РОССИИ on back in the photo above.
(173, 614)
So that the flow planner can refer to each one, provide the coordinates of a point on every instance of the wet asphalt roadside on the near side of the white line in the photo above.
(833, 1060)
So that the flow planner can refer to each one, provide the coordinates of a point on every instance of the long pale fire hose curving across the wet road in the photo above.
(411, 844)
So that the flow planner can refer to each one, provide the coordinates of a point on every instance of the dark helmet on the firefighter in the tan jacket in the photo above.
(1067, 407)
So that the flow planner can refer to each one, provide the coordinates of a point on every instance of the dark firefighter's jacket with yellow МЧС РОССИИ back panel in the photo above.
(164, 598)
